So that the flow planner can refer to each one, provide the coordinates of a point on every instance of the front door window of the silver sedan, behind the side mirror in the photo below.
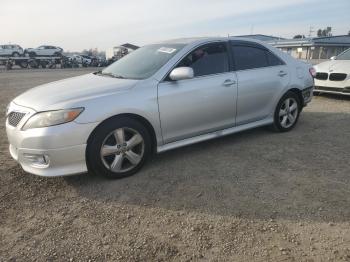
(207, 59)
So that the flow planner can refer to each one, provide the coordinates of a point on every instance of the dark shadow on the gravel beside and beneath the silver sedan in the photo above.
(258, 174)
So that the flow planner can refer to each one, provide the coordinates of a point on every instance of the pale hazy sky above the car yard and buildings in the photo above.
(81, 24)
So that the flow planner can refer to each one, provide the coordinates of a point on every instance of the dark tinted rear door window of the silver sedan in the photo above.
(248, 57)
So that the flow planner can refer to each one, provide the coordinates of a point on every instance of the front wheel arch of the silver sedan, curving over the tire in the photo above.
(136, 117)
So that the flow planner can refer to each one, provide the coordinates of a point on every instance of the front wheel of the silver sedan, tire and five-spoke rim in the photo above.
(115, 160)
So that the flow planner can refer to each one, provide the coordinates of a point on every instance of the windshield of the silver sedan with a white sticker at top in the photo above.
(143, 62)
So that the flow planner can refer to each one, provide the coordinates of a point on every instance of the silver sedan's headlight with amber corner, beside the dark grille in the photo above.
(52, 118)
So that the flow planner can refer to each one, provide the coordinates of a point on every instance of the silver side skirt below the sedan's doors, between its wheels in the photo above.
(216, 134)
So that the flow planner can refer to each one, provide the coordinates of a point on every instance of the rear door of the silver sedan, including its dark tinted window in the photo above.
(261, 77)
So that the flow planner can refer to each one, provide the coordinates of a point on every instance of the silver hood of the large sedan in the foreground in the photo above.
(72, 90)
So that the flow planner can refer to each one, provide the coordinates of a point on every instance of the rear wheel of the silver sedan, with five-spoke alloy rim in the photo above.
(286, 117)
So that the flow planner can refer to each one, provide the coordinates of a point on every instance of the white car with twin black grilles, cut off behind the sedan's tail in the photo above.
(334, 76)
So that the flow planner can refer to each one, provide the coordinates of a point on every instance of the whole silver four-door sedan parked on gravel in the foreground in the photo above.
(160, 97)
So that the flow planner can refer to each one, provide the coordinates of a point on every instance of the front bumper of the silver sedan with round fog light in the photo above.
(62, 147)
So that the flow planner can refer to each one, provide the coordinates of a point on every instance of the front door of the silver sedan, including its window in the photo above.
(203, 104)
